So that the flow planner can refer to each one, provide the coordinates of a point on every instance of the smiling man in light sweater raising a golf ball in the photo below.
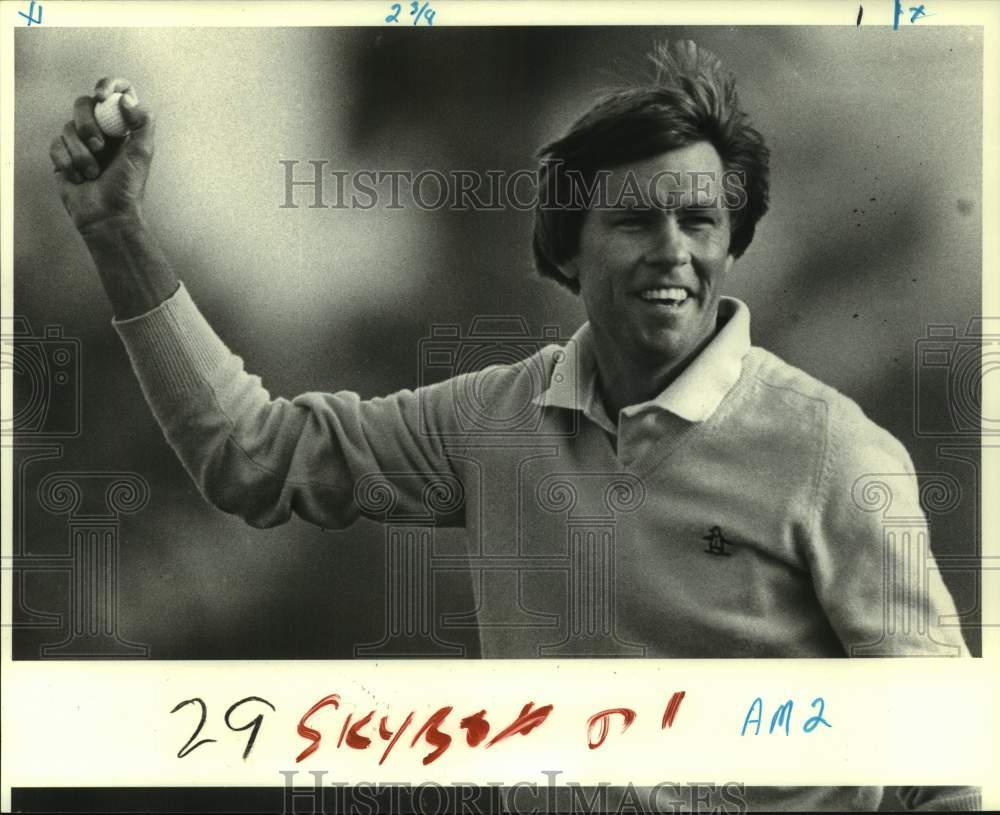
(732, 487)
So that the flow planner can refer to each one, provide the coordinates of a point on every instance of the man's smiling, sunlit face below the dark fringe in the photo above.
(650, 276)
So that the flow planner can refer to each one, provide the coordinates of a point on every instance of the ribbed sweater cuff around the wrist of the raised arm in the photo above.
(173, 349)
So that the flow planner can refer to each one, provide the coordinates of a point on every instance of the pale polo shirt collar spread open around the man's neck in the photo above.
(693, 396)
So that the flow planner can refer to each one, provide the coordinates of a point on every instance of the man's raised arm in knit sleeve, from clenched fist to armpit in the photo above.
(250, 455)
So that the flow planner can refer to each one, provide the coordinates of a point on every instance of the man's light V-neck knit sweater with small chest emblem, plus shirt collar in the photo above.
(739, 514)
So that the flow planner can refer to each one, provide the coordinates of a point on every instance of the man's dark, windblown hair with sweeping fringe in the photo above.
(692, 98)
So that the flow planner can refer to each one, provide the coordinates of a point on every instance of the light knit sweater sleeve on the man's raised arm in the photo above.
(326, 457)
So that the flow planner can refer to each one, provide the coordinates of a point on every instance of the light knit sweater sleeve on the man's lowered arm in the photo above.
(873, 569)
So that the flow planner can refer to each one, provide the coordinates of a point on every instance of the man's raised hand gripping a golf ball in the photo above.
(101, 178)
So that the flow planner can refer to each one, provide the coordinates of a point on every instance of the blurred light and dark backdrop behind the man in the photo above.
(874, 235)
